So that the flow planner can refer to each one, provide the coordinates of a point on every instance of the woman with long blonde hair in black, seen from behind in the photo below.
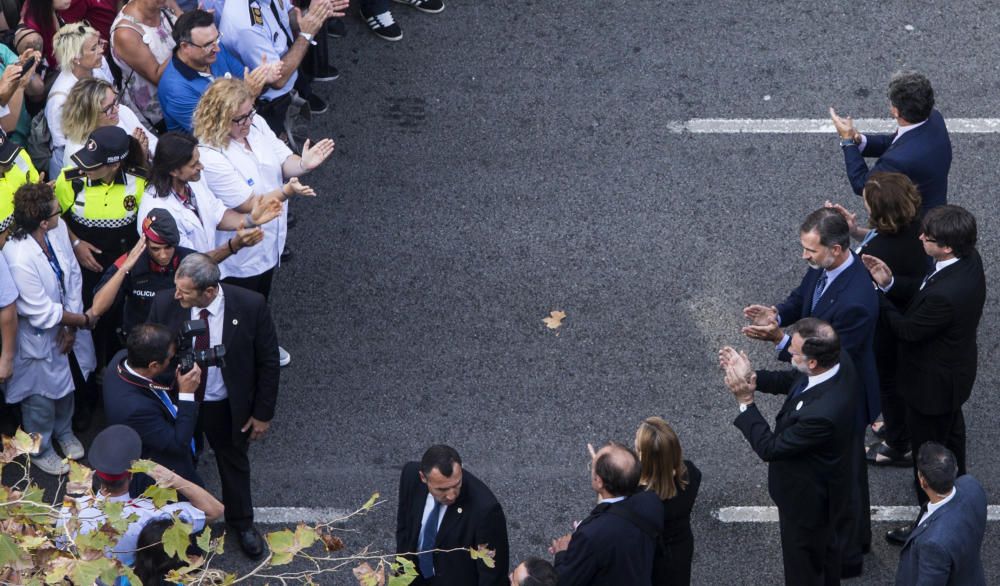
(676, 481)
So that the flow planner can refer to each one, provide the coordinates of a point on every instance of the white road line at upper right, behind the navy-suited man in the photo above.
(817, 125)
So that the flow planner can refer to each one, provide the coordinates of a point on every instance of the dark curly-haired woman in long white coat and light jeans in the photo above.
(50, 311)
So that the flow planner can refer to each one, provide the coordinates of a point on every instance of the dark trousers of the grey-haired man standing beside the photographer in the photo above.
(216, 421)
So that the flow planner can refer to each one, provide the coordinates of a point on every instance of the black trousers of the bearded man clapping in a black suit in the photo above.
(809, 554)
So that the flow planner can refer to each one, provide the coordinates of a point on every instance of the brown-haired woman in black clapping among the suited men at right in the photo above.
(893, 205)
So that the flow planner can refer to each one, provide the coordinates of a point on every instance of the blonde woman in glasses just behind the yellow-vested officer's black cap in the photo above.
(93, 103)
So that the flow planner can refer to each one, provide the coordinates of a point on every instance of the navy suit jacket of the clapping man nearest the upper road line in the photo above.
(922, 154)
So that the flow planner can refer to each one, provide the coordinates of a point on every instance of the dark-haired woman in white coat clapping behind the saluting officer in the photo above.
(176, 185)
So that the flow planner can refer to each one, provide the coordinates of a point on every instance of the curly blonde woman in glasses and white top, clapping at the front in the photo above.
(244, 161)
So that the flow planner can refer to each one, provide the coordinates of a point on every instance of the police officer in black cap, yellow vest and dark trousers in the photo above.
(99, 199)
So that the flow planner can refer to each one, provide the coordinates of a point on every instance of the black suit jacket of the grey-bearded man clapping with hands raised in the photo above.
(808, 452)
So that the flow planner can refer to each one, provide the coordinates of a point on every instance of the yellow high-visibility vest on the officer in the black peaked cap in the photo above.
(100, 205)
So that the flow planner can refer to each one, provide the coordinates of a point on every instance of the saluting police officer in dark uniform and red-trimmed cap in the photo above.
(134, 278)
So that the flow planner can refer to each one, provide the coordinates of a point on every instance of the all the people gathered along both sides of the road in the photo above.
(145, 175)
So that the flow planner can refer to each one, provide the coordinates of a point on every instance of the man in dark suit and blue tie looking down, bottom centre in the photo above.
(443, 506)
